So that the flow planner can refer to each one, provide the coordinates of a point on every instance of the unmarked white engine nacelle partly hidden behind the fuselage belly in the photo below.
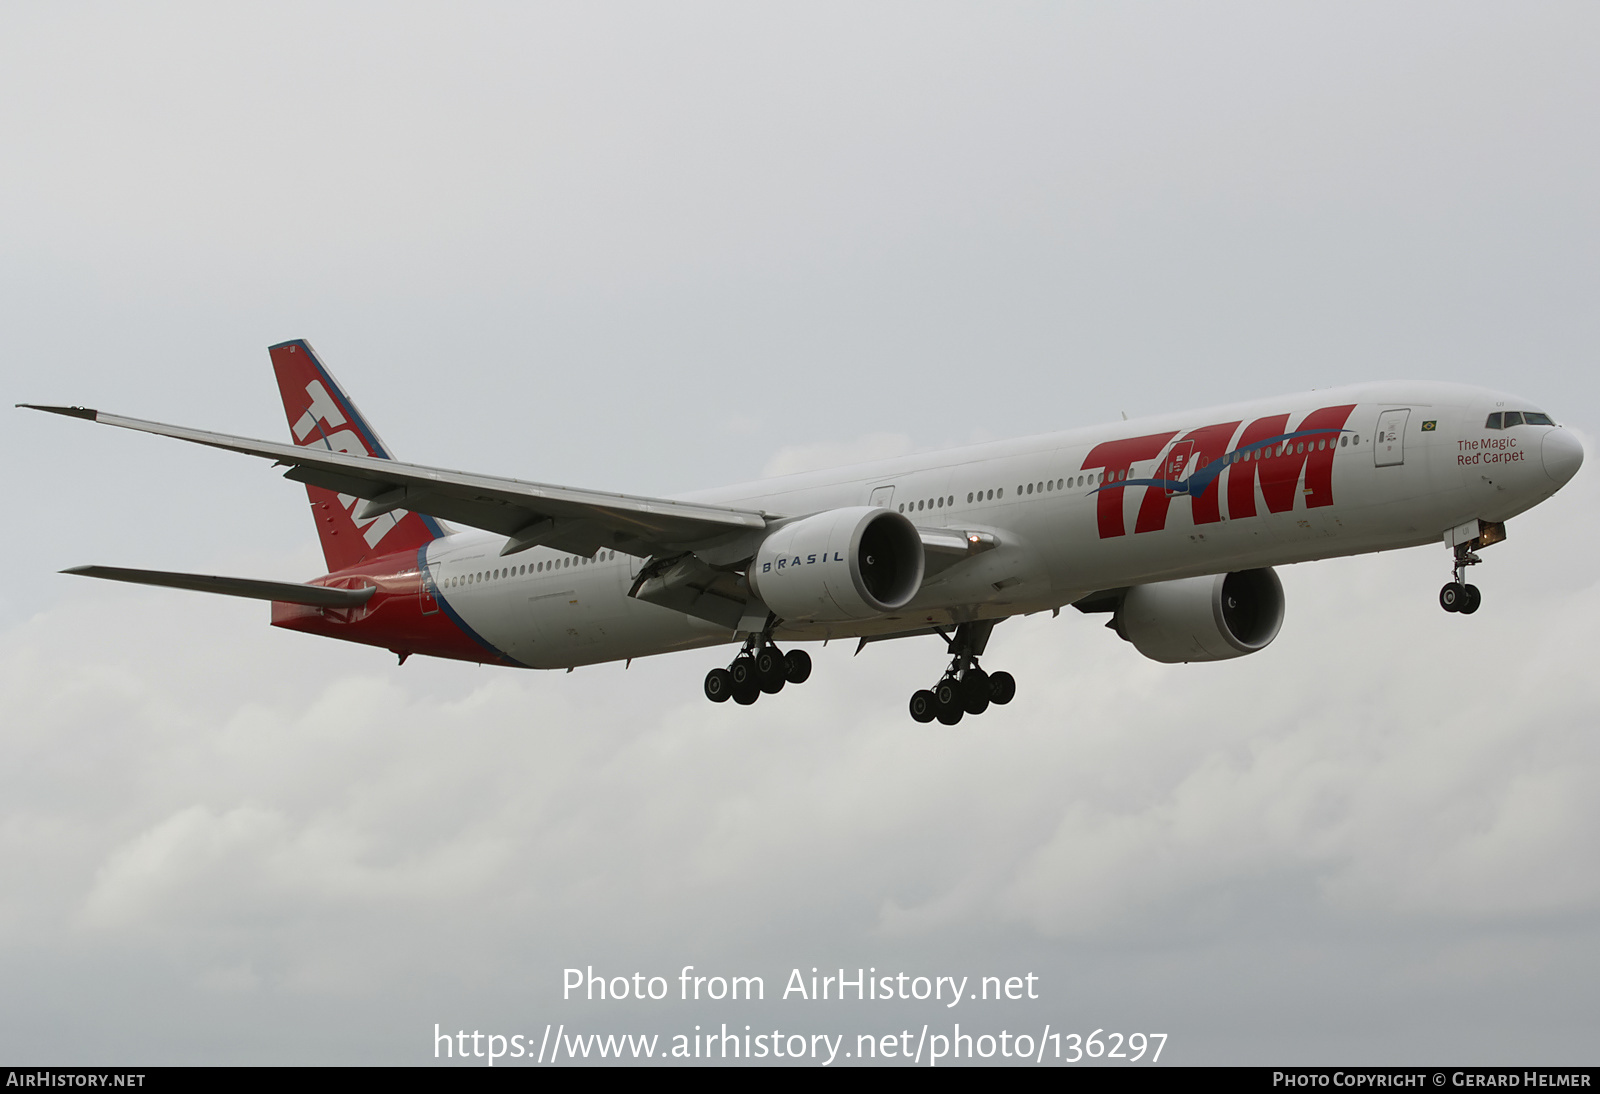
(1204, 618)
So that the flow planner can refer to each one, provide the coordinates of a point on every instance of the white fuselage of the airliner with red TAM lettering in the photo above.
(1430, 469)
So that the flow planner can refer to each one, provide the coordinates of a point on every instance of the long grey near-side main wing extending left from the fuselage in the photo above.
(530, 514)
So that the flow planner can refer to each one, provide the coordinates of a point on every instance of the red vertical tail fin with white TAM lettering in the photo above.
(322, 415)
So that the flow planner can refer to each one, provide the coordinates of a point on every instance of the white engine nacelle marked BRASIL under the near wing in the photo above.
(846, 564)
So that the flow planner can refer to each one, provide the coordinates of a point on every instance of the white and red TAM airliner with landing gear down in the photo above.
(1170, 525)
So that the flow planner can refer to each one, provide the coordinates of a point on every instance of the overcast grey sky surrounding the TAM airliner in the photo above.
(666, 247)
